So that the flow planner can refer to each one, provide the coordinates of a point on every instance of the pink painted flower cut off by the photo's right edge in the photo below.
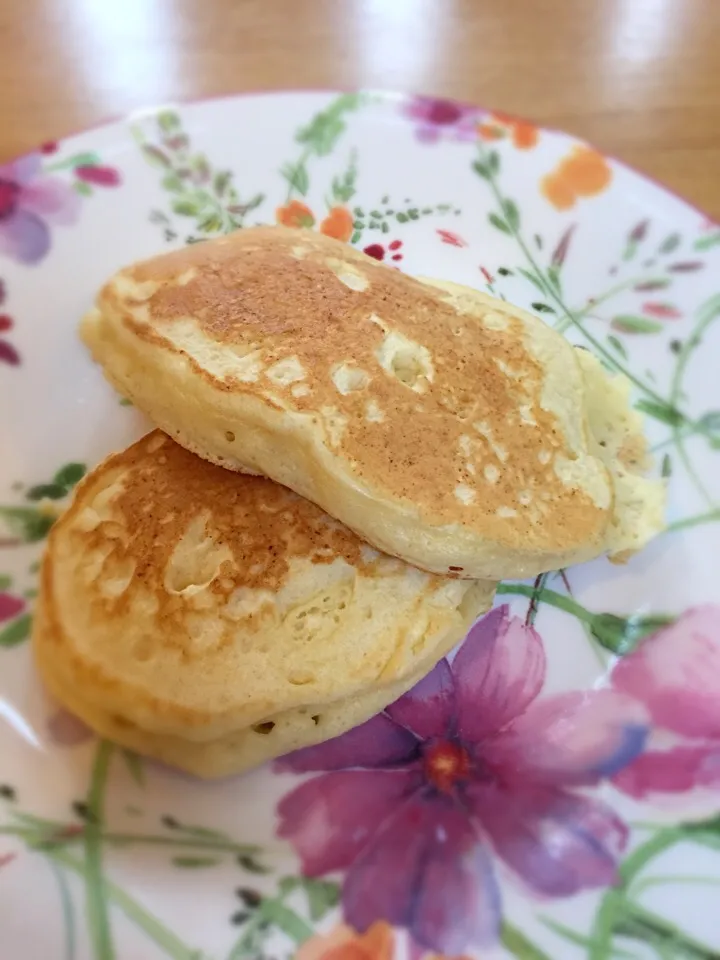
(676, 675)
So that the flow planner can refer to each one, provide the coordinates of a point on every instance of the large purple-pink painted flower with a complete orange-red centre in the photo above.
(413, 803)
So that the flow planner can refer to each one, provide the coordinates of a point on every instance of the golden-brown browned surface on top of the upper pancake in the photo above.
(251, 292)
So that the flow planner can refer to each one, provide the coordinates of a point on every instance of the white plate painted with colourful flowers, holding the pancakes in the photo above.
(574, 812)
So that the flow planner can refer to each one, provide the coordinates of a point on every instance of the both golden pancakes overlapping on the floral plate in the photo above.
(421, 442)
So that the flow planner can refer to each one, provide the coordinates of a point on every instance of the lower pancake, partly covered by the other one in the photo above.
(184, 608)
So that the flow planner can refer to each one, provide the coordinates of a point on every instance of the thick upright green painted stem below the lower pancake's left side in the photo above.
(95, 884)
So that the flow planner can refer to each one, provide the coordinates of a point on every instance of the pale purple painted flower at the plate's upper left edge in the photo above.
(29, 204)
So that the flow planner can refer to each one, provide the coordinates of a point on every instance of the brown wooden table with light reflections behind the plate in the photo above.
(638, 78)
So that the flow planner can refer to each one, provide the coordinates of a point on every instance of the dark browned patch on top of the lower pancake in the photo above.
(163, 490)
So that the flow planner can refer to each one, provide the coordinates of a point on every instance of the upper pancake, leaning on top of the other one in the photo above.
(443, 426)
